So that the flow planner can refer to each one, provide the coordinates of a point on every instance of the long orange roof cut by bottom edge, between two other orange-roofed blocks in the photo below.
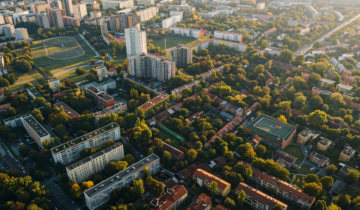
(259, 196)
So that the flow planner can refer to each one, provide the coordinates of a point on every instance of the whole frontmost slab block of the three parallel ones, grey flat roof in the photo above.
(99, 194)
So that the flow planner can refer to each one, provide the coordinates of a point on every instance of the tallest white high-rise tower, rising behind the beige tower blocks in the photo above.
(135, 42)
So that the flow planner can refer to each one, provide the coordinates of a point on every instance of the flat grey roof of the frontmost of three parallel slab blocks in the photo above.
(104, 185)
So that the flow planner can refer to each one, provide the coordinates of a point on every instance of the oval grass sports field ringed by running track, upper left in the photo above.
(61, 48)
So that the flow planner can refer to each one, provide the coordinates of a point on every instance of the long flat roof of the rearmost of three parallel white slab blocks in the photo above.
(83, 138)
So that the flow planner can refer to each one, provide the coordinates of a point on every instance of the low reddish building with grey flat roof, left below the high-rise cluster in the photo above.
(101, 98)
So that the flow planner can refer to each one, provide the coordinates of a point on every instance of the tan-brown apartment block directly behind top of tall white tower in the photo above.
(120, 22)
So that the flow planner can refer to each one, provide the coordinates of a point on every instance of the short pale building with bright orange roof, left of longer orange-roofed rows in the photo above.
(204, 179)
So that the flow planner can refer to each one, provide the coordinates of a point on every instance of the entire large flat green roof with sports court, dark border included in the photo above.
(271, 128)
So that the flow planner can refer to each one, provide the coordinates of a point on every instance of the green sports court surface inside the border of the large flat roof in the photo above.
(273, 127)
